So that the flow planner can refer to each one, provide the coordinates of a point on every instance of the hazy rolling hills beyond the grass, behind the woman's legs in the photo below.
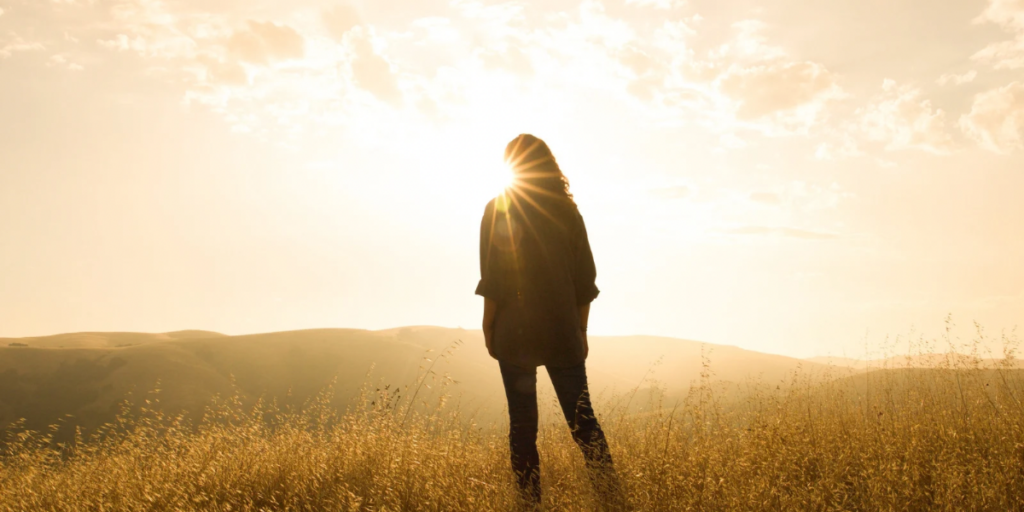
(94, 372)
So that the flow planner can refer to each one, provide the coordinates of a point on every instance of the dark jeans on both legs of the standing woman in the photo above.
(574, 397)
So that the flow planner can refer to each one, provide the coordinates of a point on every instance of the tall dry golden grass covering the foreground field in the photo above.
(948, 439)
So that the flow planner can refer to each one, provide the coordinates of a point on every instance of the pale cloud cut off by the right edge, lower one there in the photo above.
(997, 119)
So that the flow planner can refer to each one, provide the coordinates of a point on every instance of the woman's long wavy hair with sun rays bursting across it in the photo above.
(536, 170)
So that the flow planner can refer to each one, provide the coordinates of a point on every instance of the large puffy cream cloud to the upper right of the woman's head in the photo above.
(744, 83)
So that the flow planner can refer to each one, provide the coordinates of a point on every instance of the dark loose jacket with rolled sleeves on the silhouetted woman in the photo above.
(536, 262)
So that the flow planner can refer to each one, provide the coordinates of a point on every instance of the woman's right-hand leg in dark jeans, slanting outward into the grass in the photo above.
(574, 397)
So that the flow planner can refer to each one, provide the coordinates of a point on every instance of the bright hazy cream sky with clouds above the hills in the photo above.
(791, 177)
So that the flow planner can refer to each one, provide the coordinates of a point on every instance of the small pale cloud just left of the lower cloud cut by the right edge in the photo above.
(904, 120)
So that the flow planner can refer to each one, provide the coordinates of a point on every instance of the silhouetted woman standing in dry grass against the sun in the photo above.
(538, 278)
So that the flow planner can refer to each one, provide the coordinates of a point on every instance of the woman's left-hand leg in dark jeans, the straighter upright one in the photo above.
(521, 390)
